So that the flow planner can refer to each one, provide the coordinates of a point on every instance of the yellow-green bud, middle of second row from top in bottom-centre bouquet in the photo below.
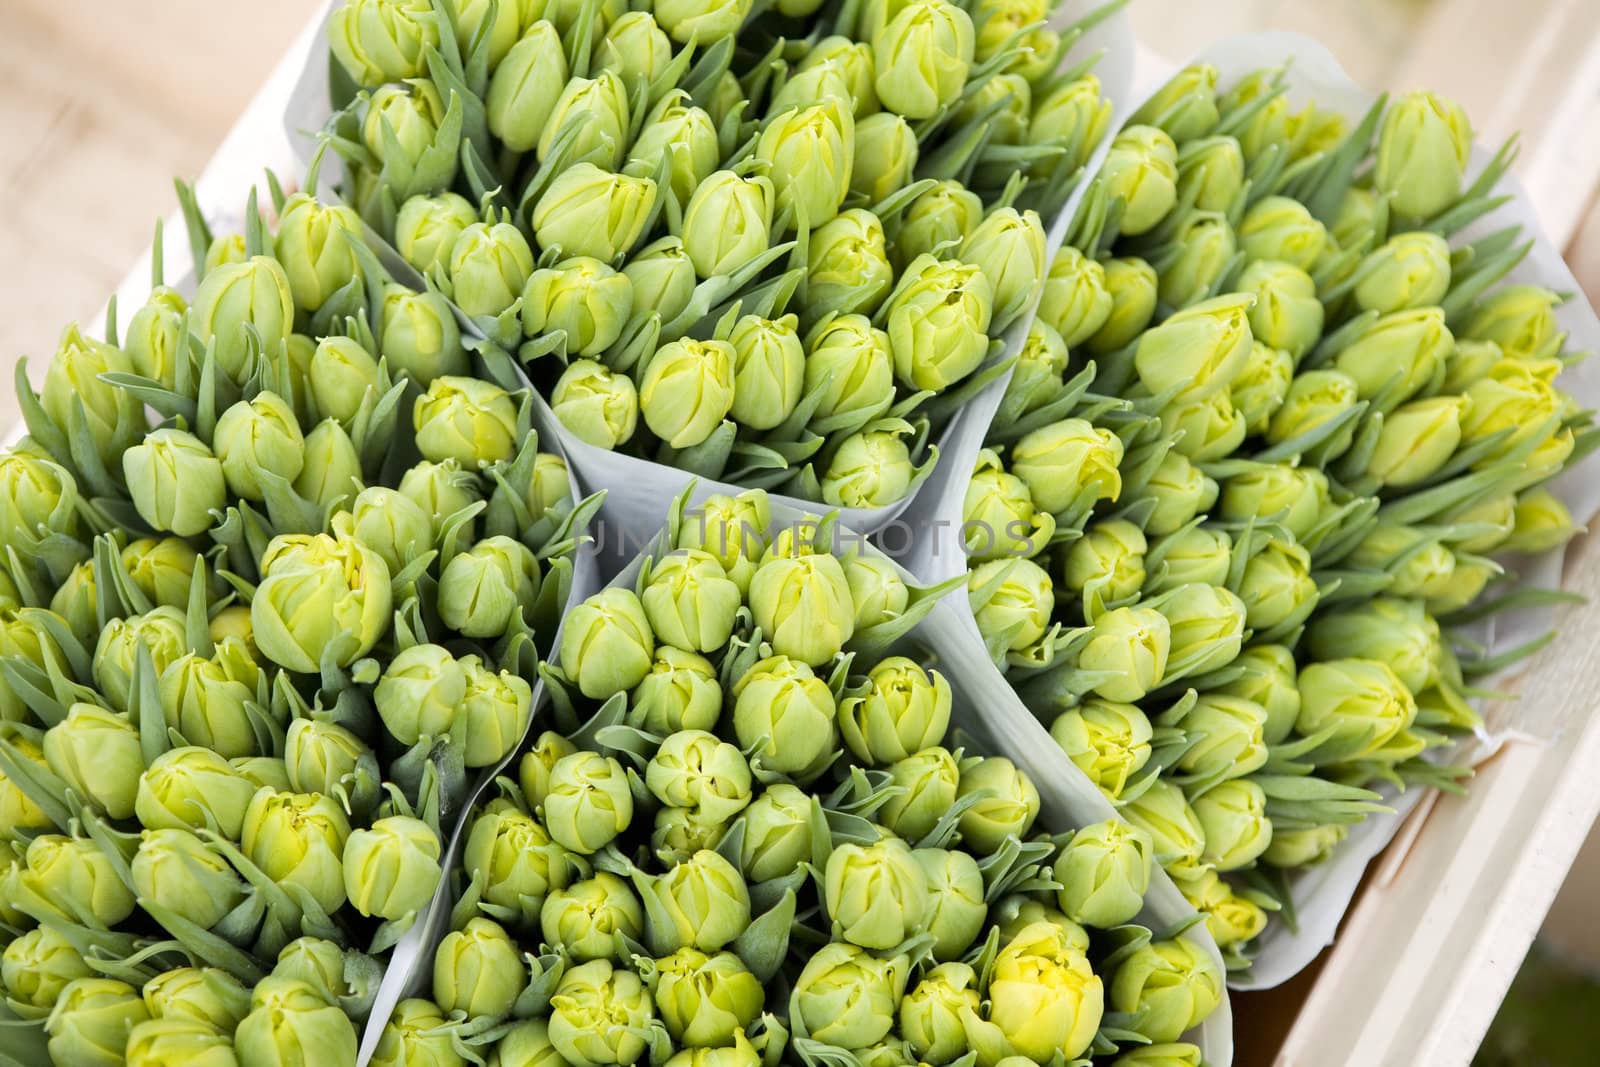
(804, 607)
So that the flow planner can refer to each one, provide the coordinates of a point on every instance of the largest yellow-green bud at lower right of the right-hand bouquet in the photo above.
(1364, 703)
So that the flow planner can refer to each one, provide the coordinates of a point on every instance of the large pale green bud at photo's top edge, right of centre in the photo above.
(922, 58)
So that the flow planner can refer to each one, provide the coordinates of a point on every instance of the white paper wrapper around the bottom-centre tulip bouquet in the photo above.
(986, 713)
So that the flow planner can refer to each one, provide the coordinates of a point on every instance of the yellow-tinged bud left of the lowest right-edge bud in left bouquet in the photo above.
(298, 841)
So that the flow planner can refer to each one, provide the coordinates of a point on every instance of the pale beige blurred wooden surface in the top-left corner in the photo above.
(102, 105)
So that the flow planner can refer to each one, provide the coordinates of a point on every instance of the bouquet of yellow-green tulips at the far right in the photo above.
(1244, 489)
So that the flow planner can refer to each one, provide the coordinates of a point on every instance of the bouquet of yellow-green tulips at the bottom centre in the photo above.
(761, 841)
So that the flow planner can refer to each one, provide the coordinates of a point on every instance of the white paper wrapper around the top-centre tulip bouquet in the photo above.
(658, 486)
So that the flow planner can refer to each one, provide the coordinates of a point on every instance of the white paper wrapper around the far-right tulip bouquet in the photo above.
(1322, 895)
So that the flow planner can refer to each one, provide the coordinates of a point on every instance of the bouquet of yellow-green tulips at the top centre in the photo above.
(775, 247)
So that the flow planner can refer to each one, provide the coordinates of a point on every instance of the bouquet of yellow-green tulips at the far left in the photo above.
(252, 652)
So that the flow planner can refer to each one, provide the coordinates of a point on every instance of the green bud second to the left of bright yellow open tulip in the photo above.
(847, 997)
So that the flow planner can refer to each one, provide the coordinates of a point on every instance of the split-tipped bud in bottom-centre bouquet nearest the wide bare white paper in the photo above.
(905, 709)
